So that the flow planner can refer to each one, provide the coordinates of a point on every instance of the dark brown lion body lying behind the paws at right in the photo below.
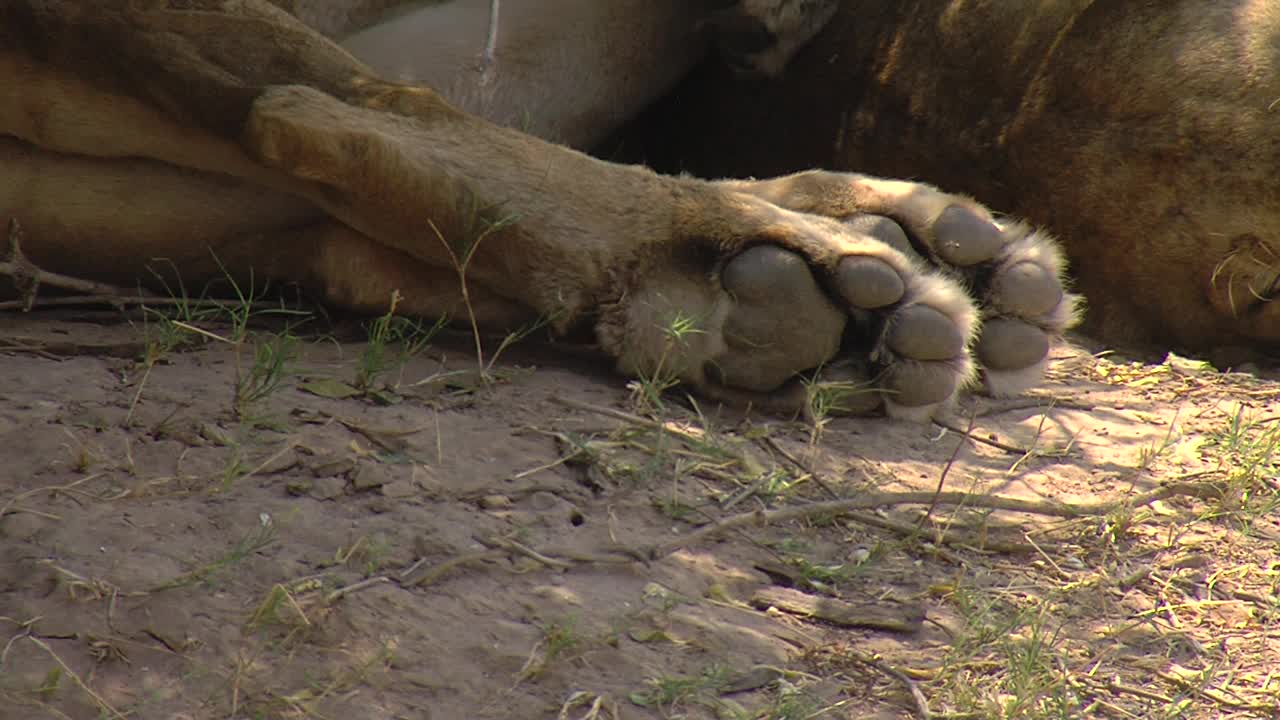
(1142, 135)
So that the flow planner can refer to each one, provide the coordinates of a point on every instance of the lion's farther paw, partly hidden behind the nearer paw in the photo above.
(1016, 275)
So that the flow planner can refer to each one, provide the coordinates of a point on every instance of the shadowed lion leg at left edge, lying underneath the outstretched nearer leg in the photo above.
(179, 230)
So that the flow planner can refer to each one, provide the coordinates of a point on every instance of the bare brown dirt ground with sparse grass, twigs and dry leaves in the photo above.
(191, 535)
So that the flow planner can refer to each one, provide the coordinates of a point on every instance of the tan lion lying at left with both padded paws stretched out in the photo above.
(248, 139)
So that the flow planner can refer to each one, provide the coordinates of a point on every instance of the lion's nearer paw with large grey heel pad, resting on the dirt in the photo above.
(787, 295)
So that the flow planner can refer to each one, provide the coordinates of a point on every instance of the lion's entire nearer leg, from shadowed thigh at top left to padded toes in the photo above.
(724, 290)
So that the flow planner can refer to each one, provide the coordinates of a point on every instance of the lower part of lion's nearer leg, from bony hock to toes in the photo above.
(687, 277)
